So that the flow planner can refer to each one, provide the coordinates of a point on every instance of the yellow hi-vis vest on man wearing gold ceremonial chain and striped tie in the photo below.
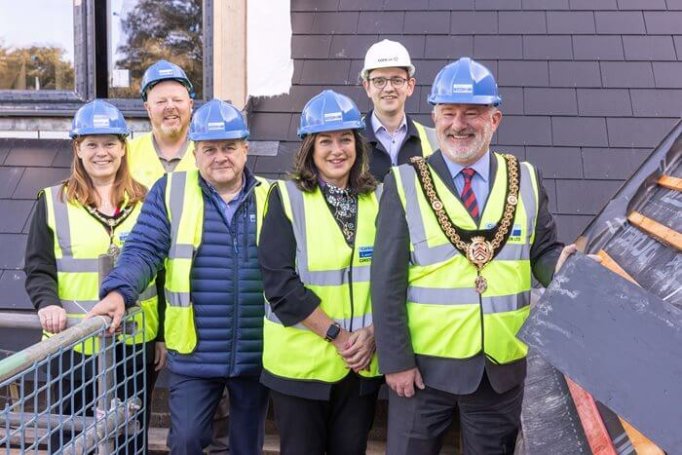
(446, 316)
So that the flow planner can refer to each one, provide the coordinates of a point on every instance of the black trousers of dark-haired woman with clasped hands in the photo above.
(339, 426)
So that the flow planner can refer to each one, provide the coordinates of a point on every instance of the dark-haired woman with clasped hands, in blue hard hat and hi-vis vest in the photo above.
(315, 252)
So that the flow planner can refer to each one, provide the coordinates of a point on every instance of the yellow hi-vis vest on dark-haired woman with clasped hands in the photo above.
(336, 273)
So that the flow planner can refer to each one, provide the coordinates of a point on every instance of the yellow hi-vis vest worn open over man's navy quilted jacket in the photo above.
(185, 206)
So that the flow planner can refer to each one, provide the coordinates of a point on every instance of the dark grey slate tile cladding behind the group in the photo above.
(589, 86)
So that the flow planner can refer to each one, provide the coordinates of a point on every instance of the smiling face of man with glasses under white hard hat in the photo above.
(389, 100)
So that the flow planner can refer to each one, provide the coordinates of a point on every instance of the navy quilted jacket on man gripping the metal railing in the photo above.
(226, 286)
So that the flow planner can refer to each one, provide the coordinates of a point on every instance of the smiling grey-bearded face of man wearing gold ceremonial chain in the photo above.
(464, 130)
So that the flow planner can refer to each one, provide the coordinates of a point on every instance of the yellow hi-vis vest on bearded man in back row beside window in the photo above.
(144, 163)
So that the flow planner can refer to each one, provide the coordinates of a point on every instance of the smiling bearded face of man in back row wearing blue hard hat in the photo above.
(169, 108)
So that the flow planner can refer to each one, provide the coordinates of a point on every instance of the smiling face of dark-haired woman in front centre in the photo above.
(334, 155)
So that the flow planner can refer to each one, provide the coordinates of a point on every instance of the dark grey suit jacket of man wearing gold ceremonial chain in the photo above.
(390, 265)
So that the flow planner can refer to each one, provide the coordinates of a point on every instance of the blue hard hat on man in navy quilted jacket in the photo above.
(217, 120)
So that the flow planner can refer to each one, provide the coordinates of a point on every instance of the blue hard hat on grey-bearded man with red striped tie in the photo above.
(464, 82)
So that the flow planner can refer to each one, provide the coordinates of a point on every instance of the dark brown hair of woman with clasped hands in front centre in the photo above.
(305, 173)
